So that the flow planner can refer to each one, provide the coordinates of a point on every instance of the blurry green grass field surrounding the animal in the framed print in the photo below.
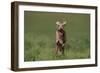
(39, 36)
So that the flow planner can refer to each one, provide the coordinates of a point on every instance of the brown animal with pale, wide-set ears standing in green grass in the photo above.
(60, 37)
